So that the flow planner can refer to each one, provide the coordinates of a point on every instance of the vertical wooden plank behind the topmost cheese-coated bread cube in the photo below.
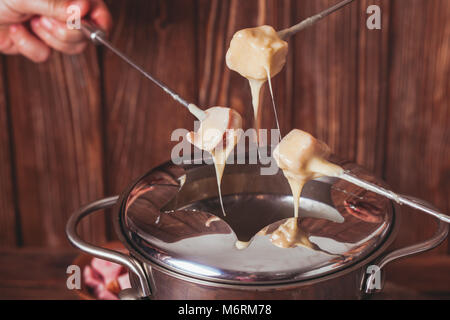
(217, 23)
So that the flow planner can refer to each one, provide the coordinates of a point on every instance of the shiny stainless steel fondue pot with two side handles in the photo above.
(182, 247)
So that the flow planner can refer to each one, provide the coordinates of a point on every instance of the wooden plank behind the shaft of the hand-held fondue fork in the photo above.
(140, 117)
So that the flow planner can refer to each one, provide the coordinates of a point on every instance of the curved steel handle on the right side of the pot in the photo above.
(372, 282)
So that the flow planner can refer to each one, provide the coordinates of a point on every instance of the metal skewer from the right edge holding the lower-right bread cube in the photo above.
(400, 199)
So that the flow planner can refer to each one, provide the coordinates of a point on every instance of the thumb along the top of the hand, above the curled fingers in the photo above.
(57, 9)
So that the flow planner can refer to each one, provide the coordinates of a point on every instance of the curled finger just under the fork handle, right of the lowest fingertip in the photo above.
(69, 43)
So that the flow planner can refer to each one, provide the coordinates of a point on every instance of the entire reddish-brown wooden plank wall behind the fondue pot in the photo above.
(78, 128)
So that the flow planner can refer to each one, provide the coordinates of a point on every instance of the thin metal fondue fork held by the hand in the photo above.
(98, 36)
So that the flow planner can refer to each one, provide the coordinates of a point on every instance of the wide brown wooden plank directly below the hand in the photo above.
(55, 113)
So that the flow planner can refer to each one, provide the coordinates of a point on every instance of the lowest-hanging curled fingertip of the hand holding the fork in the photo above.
(27, 44)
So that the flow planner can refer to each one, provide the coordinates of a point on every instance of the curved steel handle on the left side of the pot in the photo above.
(102, 253)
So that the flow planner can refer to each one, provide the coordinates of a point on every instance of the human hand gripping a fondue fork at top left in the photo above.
(34, 27)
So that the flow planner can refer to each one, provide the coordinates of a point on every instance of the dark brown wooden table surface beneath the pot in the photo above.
(41, 274)
